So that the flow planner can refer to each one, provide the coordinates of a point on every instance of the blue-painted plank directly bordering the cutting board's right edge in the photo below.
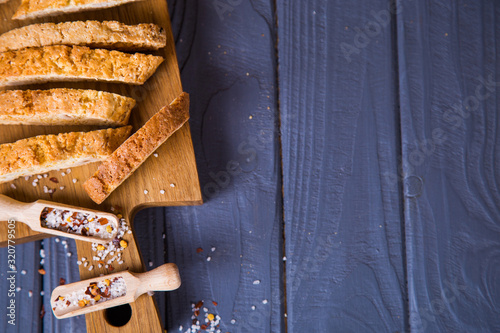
(241, 217)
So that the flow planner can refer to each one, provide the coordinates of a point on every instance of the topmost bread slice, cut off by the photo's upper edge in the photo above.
(39, 8)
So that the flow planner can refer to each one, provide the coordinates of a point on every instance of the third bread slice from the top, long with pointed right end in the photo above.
(77, 63)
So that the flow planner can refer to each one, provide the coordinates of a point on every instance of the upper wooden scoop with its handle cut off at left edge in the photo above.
(30, 214)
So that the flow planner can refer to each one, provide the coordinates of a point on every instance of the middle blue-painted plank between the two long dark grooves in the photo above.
(339, 126)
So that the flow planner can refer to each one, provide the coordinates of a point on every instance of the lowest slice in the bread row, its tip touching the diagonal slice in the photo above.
(44, 153)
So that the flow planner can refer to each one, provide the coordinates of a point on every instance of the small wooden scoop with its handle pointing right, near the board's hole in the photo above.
(164, 278)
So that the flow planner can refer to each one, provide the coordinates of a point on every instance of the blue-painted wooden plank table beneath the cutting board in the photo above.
(349, 156)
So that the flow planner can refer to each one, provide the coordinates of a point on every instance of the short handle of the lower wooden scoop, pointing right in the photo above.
(163, 278)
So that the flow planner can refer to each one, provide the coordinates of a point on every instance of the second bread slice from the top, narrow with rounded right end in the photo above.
(108, 34)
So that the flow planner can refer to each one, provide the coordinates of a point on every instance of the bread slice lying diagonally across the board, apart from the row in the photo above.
(133, 152)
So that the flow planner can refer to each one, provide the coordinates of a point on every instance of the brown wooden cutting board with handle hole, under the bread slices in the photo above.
(174, 165)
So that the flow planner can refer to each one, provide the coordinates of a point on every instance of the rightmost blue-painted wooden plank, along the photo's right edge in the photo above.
(449, 69)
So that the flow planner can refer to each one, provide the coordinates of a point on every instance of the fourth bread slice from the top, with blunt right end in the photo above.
(64, 107)
